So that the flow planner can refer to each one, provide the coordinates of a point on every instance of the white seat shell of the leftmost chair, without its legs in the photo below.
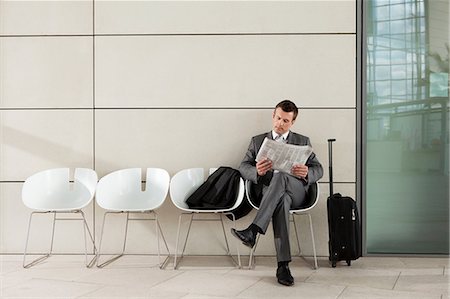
(51, 189)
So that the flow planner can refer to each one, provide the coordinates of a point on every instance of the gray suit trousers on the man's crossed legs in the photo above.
(283, 193)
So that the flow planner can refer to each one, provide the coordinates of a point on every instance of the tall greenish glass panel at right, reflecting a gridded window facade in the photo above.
(407, 126)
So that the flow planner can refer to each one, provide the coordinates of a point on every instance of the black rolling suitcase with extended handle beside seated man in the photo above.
(343, 223)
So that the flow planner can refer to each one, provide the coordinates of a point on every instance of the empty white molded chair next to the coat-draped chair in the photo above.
(120, 192)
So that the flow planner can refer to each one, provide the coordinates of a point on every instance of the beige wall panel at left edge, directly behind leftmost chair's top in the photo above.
(35, 140)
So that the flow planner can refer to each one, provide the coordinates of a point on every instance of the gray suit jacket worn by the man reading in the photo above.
(247, 167)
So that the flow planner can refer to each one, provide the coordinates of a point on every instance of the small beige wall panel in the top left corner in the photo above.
(45, 17)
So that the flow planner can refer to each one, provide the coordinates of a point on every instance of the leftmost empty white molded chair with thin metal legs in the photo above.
(50, 191)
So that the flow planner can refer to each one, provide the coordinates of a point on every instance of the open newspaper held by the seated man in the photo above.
(283, 156)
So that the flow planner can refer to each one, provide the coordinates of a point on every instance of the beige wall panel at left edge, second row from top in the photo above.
(46, 72)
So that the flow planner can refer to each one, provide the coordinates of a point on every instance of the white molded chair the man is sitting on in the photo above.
(311, 201)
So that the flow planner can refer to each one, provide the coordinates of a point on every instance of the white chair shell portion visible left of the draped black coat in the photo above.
(183, 184)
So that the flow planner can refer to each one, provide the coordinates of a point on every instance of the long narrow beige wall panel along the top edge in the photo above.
(225, 16)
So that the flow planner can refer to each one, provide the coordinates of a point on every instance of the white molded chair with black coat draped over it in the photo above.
(182, 185)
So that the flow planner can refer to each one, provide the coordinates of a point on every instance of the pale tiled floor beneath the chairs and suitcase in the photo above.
(213, 277)
